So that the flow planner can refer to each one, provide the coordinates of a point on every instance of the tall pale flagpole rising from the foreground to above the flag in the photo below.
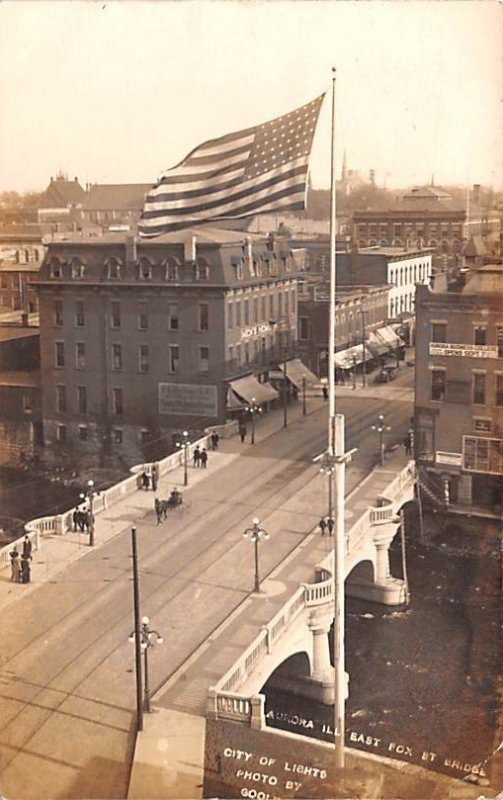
(336, 457)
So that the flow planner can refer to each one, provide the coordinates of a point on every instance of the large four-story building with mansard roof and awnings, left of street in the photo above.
(140, 338)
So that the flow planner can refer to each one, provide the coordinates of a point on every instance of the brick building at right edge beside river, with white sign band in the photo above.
(459, 391)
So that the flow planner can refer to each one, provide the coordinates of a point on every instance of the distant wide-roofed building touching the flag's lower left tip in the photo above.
(113, 206)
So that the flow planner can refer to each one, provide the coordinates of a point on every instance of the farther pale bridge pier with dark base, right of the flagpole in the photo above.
(382, 587)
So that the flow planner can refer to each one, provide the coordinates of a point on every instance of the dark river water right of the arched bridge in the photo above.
(423, 679)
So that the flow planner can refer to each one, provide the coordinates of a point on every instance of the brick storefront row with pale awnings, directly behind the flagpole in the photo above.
(360, 312)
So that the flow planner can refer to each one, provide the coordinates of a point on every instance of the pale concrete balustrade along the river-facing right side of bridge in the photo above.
(224, 700)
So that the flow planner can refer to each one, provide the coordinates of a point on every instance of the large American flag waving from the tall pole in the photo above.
(249, 172)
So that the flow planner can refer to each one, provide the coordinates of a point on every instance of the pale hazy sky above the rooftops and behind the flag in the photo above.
(118, 92)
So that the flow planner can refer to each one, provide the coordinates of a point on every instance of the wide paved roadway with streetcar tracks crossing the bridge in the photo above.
(67, 697)
